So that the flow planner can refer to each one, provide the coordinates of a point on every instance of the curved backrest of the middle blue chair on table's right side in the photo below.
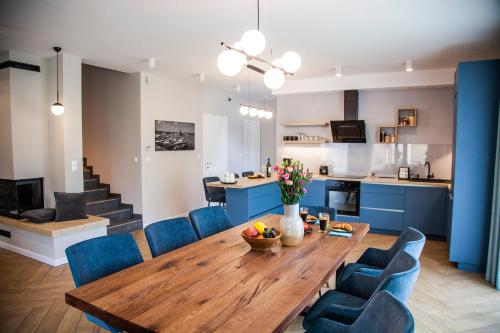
(399, 276)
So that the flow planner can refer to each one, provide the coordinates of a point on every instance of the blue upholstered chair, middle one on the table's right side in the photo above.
(352, 295)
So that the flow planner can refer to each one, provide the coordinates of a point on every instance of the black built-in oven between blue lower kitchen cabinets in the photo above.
(343, 195)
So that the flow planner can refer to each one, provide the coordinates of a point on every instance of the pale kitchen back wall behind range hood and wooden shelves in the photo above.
(376, 107)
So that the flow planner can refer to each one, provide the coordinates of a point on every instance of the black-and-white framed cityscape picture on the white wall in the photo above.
(173, 135)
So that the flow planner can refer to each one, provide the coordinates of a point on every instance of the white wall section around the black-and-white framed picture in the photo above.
(171, 180)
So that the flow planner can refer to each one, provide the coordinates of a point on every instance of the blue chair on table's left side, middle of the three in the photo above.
(168, 235)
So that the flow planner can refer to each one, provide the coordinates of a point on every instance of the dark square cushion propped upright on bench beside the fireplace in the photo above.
(70, 206)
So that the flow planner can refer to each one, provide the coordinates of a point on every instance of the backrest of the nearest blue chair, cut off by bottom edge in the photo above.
(384, 313)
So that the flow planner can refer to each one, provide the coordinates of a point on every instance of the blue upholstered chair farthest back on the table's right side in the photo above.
(374, 260)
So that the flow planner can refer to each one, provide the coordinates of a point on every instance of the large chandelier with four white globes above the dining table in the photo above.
(253, 42)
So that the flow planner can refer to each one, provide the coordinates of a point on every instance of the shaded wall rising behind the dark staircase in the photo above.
(112, 130)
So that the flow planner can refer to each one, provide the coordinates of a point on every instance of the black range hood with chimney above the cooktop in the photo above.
(349, 130)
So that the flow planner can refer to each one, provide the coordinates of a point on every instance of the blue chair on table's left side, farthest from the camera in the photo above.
(209, 220)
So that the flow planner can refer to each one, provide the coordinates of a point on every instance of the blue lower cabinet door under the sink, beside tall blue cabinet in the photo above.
(425, 209)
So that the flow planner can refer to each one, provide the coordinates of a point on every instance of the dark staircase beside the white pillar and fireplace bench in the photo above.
(101, 202)
